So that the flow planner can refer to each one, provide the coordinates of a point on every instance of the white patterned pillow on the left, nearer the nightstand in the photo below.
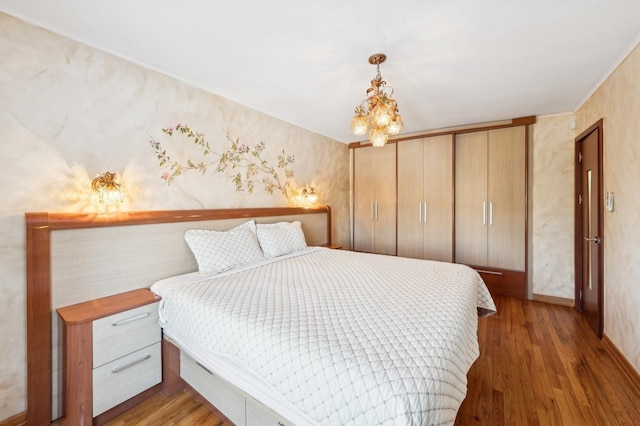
(217, 251)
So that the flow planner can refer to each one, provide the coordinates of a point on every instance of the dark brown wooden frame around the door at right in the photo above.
(597, 126)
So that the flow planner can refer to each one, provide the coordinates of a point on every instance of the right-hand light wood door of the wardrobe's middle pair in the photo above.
(438, 198)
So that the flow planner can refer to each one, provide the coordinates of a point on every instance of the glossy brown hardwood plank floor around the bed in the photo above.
(540, 364)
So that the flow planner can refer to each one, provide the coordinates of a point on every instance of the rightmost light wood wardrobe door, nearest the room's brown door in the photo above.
(506, 195)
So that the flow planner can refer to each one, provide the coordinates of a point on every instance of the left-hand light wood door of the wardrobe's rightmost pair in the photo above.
(471, 198)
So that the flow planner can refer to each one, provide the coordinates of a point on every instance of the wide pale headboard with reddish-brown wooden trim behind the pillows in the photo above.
(72, 258)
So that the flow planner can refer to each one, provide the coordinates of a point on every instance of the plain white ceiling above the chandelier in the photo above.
(450, 62)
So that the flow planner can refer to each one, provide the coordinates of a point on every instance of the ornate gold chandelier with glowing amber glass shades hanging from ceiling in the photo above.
(380, 115)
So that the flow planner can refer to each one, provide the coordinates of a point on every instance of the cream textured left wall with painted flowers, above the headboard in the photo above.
(69, 112)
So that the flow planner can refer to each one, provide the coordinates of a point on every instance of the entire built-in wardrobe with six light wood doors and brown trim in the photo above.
(458, 196)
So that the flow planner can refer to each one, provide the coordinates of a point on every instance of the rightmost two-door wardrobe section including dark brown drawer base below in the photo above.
(490, 205)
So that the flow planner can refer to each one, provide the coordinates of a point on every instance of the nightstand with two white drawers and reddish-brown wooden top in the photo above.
(112, 352)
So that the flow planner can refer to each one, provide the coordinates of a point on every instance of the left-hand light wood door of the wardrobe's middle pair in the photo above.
(411, 162)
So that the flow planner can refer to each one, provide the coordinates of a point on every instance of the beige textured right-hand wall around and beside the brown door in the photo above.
(617, 101)
